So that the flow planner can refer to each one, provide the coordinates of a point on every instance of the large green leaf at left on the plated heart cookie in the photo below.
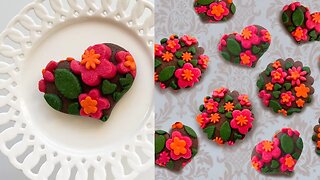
(67, 83)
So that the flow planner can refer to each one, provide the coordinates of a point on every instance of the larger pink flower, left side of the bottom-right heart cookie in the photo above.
(269, 150)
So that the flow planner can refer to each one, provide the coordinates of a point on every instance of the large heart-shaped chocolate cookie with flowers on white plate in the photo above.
(90, 87)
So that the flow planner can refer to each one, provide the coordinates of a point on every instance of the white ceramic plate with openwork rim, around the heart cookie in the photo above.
(47, 144)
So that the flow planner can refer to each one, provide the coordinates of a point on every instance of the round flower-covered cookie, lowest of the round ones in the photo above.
(226, 116)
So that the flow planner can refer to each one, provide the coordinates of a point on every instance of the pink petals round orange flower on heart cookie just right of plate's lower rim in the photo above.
(188, 144)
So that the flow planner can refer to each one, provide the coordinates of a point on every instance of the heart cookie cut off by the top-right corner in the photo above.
(300, 23)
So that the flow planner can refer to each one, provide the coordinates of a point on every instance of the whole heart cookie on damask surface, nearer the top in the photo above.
(245, 48)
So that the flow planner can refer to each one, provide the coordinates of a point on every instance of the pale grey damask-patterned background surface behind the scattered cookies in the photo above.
(233, 162)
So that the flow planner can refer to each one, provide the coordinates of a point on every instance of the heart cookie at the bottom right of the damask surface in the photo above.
(279, 156)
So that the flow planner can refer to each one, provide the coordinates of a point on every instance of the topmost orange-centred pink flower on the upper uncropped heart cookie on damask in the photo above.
(248, 37)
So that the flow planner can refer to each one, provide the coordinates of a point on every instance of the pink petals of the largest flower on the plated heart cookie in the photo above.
(105, 69)
